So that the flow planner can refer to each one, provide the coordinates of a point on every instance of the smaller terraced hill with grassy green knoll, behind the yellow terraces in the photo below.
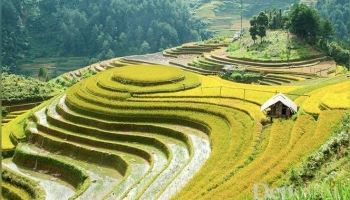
(258, 59)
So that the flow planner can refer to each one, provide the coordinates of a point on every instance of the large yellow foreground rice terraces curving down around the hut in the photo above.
(152, 132)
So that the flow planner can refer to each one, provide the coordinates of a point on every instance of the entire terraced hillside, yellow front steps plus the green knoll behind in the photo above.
(188, 123)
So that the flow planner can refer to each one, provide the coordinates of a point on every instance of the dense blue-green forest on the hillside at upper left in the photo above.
(95, 29)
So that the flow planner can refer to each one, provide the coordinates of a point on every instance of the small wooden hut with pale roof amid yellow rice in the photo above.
(279, 106)
